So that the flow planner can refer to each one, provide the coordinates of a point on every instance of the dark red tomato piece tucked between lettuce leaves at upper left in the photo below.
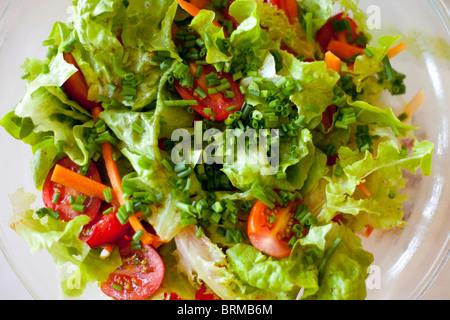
(76, 87)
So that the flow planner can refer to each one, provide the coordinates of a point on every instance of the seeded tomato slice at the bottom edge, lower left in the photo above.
(139, 276)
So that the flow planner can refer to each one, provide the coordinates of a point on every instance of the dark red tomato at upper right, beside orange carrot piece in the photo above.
(327, 32)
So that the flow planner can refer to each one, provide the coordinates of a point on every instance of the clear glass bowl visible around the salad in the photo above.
(406, 261)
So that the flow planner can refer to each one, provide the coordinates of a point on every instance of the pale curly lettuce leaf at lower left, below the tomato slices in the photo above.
(61, 240)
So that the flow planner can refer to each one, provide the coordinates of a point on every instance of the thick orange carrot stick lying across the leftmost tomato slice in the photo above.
(76, 181)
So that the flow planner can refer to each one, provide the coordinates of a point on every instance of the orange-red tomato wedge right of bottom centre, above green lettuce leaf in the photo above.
(267, 237)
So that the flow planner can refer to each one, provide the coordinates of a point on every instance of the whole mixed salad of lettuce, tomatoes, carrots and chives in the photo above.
(214, 149)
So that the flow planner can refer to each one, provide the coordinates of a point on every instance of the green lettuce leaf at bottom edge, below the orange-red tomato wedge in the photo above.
(340, 275)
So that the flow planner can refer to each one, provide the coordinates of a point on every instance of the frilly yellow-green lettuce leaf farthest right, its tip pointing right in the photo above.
(382, 175)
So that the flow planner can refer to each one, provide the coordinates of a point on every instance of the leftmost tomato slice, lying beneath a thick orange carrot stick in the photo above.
(50, 189)
